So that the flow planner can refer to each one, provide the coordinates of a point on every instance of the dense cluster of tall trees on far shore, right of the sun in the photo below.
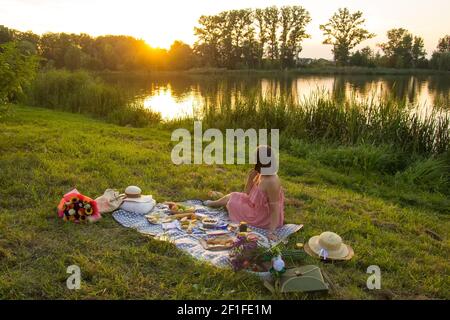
(252, 38)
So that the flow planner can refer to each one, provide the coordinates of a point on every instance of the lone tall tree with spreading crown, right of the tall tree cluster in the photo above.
(344, 31)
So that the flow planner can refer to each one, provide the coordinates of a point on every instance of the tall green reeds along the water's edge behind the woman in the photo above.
(346, 122)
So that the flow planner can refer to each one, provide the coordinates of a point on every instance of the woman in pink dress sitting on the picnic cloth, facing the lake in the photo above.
(262, 203)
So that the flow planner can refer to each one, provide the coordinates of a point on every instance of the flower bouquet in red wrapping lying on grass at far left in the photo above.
(78, 208)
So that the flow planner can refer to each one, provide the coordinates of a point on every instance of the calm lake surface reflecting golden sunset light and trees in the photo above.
(180, 95)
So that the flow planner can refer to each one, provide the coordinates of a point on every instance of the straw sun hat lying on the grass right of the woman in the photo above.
(328, 245)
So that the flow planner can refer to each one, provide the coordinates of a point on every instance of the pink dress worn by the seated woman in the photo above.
(253, 208)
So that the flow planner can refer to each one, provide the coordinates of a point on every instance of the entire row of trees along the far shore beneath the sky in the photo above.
(265, 38)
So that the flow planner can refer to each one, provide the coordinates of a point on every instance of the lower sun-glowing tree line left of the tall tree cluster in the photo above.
(110, 52)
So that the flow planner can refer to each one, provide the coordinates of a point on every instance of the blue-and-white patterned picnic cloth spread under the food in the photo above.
(190, 242)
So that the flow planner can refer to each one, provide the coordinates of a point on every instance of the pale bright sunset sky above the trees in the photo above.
(161, 22)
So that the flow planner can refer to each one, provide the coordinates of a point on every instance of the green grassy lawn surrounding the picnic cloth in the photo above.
(44, 153)
